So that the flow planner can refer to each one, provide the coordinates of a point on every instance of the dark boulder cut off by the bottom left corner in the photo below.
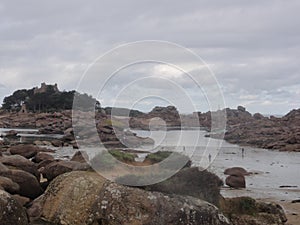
(11, 212)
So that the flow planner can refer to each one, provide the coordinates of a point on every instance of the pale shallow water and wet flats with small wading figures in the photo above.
(273, 168)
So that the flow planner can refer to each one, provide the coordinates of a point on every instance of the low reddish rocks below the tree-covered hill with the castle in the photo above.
(61, 123)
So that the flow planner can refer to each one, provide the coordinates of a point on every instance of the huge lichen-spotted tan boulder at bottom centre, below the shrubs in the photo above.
(87, 198)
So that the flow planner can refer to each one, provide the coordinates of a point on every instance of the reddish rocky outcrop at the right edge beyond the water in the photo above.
(264, 132)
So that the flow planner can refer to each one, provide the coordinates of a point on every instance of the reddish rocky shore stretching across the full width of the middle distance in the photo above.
(243, 128)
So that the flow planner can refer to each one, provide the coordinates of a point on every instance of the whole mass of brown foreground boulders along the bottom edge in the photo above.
(35, 188)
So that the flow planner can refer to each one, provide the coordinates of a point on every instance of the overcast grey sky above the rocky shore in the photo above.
(253, 47)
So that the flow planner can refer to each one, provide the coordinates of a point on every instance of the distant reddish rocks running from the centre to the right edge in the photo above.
(243, 128)
